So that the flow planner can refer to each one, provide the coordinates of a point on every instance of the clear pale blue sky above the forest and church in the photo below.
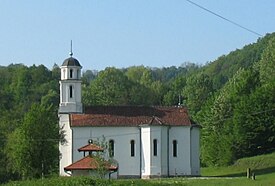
(123, 33)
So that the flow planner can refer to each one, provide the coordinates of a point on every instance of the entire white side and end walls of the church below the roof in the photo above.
(144, 164)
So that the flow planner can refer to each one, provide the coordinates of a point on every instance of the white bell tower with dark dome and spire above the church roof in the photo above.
(70, 86)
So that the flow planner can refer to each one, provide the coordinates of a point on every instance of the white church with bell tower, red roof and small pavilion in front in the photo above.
(145, 142)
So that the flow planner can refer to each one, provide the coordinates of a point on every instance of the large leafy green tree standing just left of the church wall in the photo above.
(32, 149)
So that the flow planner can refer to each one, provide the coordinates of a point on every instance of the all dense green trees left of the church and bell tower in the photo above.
(28, 121)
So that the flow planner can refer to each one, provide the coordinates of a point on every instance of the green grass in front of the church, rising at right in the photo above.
(263, 167)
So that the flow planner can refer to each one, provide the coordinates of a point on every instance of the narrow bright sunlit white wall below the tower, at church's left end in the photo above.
(65, 149)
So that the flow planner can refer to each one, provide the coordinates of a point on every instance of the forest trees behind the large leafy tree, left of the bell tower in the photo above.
(20, 87)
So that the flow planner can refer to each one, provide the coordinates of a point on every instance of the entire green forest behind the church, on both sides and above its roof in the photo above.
(232, 98)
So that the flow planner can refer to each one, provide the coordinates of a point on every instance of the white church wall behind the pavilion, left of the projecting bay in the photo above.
(128, 166)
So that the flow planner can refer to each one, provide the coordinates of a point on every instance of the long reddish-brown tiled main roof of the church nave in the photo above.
(131, 116)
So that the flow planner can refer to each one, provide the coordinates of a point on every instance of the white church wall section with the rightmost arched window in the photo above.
(180, 165)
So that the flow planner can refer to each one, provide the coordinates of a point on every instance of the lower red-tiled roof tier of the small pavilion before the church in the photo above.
(87, 163)
